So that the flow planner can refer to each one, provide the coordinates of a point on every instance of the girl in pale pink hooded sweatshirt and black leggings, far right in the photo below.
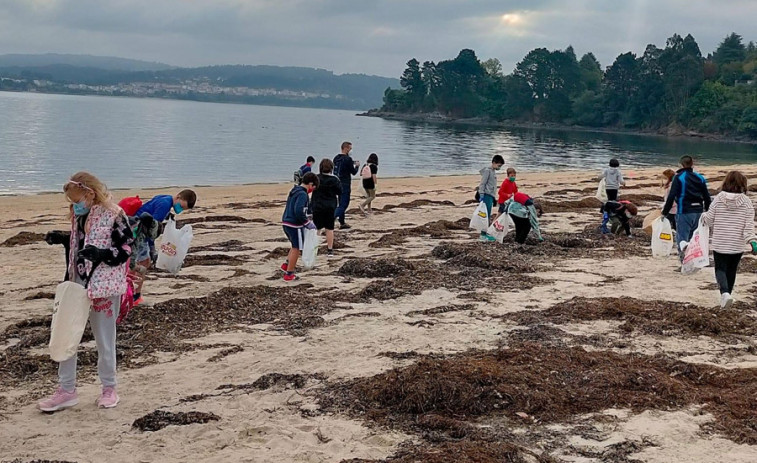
(731, 221)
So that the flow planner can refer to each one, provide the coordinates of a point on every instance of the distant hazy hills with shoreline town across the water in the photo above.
(290, 86)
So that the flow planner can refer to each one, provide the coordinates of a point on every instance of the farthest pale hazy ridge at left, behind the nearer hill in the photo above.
(109, 63)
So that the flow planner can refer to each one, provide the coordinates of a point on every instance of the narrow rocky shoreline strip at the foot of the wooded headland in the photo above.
(436, 118)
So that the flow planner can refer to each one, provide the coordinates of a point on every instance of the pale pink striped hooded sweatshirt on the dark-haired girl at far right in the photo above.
(731, 221)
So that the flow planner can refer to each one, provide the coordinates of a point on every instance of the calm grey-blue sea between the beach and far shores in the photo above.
(132, 142)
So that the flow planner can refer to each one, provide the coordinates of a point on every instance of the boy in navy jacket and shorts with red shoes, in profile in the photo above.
(295, 218)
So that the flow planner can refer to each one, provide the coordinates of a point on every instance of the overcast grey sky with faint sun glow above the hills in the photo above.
(364, 36)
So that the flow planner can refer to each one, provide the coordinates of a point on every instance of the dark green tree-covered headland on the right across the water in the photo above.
(672, 90)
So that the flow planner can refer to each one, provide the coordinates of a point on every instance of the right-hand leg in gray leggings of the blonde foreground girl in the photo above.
(102, 319)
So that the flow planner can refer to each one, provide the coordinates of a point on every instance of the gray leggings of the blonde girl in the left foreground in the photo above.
(103, 324)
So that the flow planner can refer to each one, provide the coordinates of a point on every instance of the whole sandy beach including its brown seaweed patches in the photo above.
(415, 343)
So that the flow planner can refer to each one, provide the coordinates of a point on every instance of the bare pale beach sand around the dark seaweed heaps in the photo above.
(361, 318)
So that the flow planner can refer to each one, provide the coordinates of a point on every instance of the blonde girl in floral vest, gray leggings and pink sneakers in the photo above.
(99, 250)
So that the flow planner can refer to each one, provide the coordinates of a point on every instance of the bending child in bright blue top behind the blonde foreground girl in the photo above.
(147, 228)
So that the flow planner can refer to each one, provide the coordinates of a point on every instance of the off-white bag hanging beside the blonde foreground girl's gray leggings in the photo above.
(70, 315)
